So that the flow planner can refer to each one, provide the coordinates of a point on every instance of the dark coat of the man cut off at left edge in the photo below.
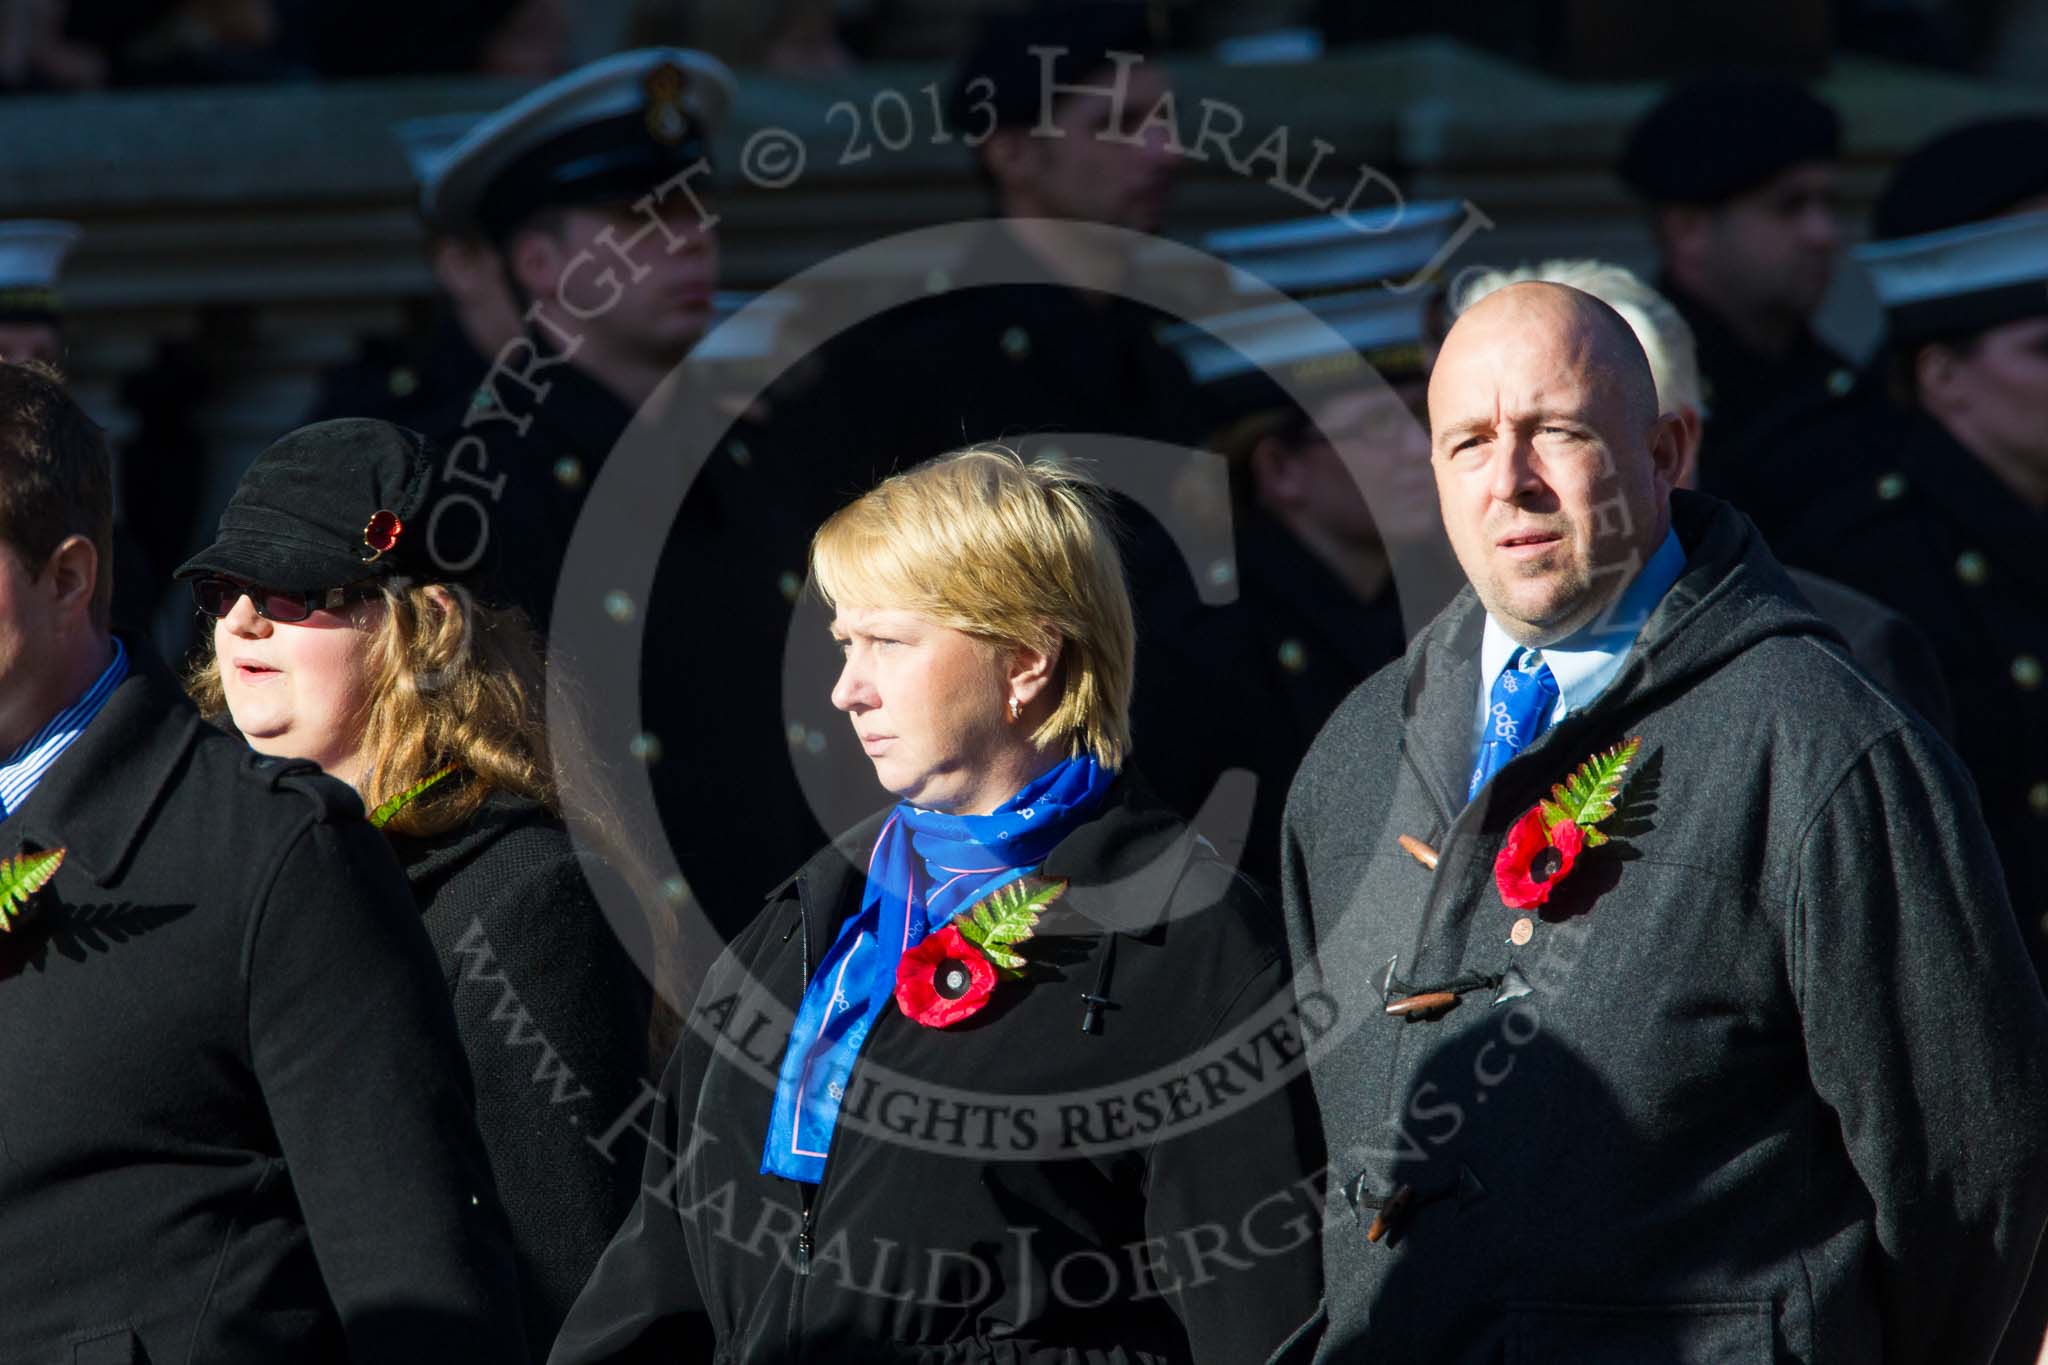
(237, 1125)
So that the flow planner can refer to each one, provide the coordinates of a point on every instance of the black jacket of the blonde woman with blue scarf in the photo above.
(1007, 1190)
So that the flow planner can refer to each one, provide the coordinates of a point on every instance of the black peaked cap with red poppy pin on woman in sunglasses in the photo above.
(331, 504)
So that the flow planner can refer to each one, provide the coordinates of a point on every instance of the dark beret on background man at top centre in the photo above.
(1089, 32)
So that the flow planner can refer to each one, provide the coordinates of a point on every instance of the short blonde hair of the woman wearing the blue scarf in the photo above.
(1013, 554)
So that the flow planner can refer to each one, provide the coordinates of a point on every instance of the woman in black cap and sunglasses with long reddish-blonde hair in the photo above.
(339, 640)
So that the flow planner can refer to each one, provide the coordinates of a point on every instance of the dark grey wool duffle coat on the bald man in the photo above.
(1768, 1080)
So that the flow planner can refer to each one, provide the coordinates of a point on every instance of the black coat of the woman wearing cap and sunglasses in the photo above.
(554, 1022)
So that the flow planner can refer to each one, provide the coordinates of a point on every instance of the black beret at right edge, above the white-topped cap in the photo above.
(1965, 177)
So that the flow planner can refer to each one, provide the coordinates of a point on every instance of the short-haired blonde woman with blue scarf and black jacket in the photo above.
(966, 1092)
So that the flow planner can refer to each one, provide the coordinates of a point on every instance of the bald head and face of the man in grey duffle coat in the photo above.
(1551, 459)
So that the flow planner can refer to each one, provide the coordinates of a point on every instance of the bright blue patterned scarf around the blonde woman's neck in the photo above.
(927, 869)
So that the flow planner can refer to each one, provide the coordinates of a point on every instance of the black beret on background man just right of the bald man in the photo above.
(1717, 138)
